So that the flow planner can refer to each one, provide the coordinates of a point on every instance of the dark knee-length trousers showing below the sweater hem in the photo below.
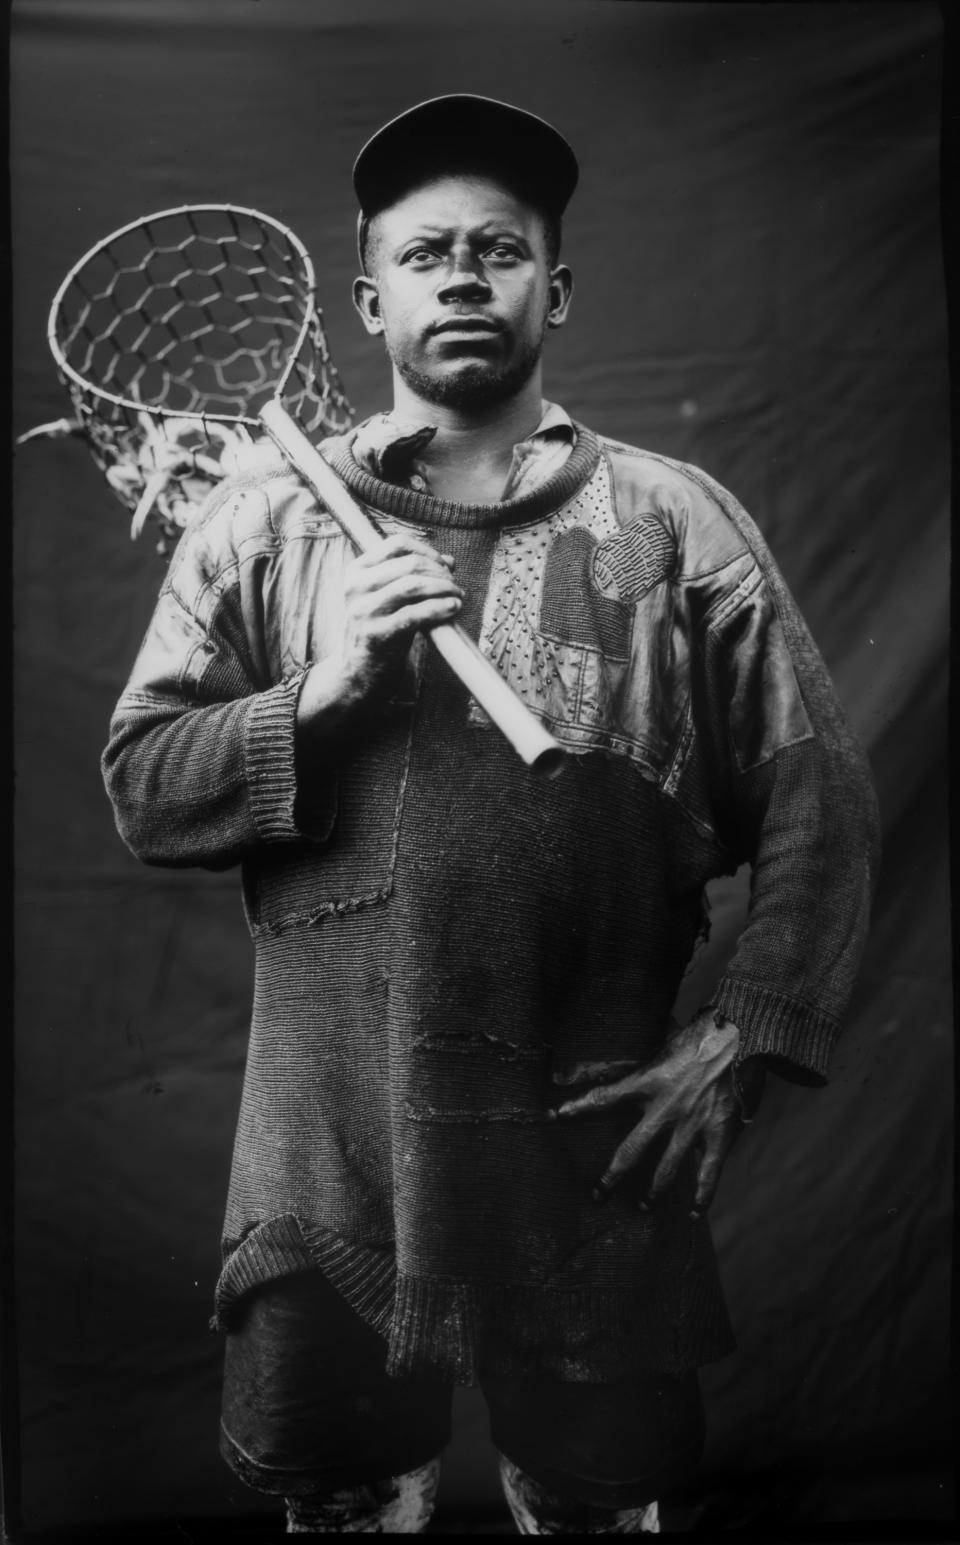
(308, 1410)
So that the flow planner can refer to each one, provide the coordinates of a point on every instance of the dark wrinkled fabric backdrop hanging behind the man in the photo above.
(760, 293)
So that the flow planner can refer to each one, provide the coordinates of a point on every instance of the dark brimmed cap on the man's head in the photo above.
(463, 132)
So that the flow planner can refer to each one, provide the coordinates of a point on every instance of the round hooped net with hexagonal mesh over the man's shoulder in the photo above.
(172, 334)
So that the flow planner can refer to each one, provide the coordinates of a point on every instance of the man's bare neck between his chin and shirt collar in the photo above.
(471, 455)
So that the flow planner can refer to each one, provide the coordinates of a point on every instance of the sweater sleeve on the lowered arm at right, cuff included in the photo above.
(794, 798)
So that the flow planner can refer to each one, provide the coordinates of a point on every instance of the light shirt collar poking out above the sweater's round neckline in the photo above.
(389, 447)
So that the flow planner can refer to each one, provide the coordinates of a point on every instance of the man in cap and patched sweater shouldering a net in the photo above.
(474, 1146)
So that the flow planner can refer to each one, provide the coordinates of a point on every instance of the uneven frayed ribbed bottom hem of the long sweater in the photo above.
(465, 1333)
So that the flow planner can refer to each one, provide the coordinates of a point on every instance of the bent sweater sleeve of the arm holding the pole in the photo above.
(202, 759)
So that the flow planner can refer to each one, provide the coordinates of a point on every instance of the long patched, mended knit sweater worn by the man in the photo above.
(448, 945)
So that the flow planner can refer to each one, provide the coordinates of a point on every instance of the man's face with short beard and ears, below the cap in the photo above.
(461, 291)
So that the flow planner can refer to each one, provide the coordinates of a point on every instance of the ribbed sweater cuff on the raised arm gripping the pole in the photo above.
(273, 770)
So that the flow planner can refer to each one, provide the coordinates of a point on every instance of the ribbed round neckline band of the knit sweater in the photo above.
(423, 509)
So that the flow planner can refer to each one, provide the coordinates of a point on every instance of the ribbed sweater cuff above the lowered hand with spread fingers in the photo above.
(778, 1027)
